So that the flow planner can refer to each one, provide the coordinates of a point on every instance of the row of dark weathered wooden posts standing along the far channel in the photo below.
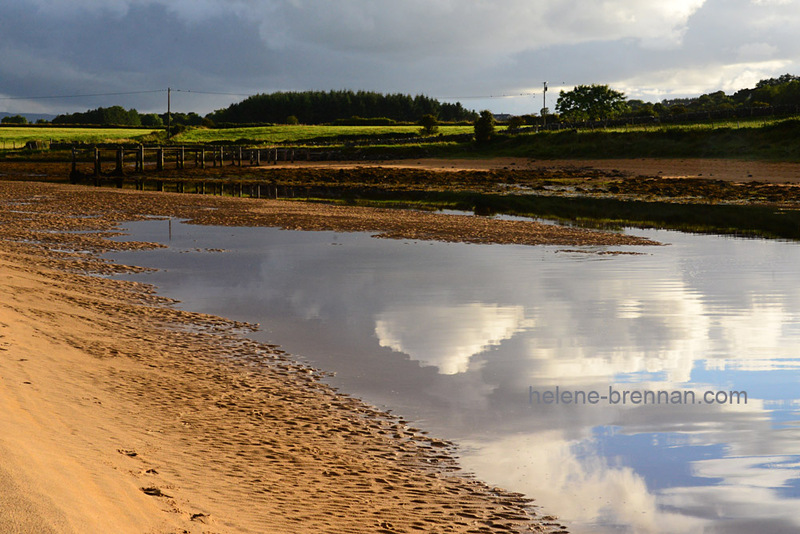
(200, 157)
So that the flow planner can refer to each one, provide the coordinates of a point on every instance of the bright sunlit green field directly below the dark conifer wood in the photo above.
(301, 133)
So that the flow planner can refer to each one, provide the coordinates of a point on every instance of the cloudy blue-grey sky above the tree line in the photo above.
(485, 54)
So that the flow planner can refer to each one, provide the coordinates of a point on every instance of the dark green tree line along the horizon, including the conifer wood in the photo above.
(582, 103)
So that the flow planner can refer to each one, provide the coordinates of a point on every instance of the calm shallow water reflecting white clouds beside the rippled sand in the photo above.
(463, 340)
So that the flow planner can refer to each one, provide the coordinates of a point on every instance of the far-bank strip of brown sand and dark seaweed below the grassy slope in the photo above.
(649, 179)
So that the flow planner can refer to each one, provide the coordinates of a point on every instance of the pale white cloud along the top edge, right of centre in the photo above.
(448, 27)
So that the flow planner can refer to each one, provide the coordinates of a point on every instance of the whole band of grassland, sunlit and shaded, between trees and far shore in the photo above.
(772, 140)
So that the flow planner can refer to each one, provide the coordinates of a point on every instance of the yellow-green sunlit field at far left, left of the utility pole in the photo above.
(17, 136)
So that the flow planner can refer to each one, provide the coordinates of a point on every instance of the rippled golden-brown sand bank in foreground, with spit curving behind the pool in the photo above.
(123, 414)
